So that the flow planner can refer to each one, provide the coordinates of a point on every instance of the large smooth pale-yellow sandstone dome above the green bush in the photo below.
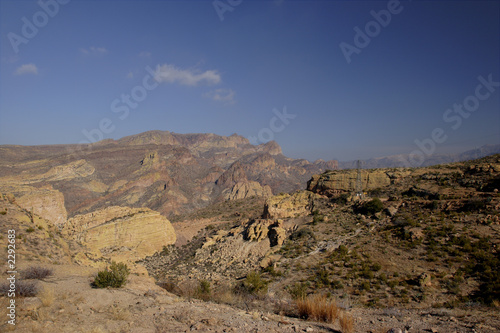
(122, 232)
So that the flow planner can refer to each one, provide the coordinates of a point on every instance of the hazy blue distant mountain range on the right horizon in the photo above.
(395, 161)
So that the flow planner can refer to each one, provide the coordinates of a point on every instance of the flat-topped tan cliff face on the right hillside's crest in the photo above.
(344, 181)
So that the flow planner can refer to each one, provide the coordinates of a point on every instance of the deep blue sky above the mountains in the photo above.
(261, 69)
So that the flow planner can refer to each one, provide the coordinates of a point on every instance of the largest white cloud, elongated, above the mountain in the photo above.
(171, 74)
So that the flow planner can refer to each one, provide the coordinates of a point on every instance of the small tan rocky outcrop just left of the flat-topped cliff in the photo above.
(290, 205)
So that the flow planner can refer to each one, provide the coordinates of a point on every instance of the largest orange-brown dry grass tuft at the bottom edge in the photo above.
(317, 307)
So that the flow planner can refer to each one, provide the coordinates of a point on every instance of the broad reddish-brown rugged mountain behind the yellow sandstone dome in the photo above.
(164, 171)
